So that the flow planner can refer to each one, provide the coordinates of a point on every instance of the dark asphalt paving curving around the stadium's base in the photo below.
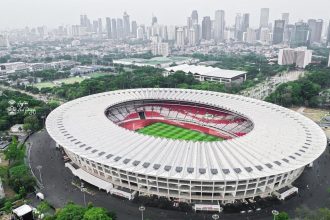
(58, 188)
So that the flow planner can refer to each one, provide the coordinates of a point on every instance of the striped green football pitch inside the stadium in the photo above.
(164, 130)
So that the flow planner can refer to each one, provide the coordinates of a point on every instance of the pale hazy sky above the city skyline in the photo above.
(21, 13)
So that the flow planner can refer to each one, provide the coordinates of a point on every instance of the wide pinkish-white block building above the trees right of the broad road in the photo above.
(300, 56)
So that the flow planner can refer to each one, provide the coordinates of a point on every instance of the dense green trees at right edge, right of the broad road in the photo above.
(304, 91)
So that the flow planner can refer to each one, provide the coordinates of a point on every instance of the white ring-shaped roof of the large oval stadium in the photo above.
(281, 140)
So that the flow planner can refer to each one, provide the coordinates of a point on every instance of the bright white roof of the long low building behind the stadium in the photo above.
(207, 71)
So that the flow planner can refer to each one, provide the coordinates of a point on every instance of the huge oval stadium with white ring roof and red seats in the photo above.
(187, 145)
